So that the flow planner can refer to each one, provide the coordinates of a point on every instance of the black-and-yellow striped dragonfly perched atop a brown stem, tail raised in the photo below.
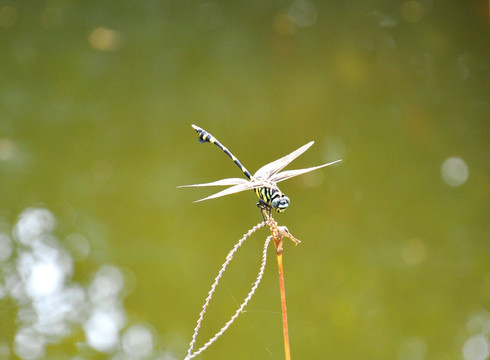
(263, 182)
